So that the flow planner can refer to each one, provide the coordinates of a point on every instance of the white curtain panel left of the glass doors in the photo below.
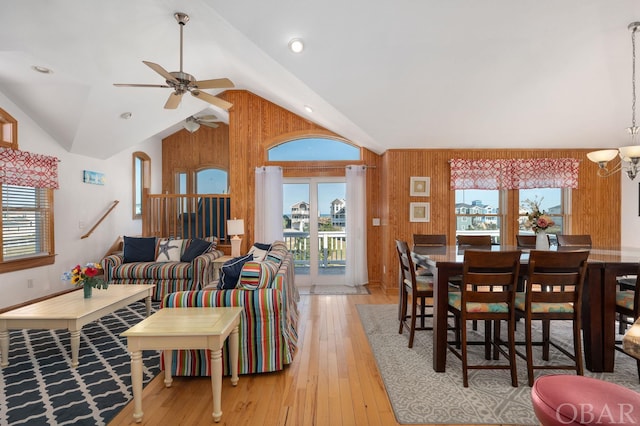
(268, 208)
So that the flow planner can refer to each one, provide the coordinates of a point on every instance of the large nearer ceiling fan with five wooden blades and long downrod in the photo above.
(181, 82)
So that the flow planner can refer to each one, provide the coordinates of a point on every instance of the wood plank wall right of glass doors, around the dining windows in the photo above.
(595, 204)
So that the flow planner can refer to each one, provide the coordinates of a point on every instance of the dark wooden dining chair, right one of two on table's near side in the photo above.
(553, 292)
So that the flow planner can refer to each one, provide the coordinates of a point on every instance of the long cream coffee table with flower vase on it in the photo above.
(70, 311)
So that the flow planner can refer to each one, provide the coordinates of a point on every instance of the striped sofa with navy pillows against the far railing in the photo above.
(171, 264)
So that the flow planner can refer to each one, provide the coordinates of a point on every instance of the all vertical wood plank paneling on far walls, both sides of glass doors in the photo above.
(256, 124)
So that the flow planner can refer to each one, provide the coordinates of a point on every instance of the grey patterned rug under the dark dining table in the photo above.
(420, 395)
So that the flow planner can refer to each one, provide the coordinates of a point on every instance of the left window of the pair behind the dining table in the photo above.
(477, 212)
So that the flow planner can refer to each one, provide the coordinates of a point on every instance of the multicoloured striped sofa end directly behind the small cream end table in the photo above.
(268, 324)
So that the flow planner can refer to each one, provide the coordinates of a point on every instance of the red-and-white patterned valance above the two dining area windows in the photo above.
(514, 174)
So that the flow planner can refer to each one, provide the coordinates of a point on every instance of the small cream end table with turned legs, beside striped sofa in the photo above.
(185, 328)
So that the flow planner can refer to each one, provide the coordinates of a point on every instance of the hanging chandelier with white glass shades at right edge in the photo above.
(629, 155)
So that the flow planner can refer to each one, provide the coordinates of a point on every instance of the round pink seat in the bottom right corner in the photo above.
(560, 400)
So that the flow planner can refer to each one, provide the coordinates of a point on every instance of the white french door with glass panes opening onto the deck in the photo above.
(314, 228)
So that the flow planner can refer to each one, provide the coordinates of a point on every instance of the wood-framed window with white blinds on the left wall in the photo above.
(27, 227)
